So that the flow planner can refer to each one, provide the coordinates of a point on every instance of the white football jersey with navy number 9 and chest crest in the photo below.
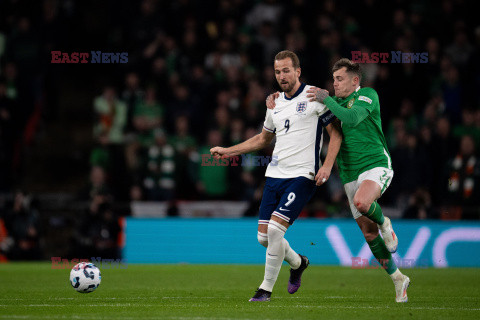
(298, 125)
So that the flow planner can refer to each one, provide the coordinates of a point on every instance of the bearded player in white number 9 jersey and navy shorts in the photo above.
(295, 171)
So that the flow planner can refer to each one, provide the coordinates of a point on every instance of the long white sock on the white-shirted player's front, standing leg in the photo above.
(275, 254)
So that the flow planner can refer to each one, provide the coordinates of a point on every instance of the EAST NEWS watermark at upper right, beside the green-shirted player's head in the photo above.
(389, 57)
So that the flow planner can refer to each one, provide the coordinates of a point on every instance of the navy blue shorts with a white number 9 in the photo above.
(285, 198)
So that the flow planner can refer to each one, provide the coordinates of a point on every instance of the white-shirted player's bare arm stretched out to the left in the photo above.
(257, 142)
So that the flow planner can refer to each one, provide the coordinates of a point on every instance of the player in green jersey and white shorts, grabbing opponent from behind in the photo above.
(363, 161)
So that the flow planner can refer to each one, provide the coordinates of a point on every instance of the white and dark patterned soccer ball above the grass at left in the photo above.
(85, 277)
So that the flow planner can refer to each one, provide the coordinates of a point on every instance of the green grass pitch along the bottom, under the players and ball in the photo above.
(36, 291)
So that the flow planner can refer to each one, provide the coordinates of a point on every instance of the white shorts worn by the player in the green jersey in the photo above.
(382, 176)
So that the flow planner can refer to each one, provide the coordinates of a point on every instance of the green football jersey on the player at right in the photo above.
(364, 146)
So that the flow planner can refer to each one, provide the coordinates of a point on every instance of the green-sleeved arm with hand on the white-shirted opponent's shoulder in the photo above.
(352, 116)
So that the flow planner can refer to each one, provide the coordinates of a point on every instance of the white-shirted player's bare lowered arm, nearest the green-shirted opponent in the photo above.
(336, 137)
